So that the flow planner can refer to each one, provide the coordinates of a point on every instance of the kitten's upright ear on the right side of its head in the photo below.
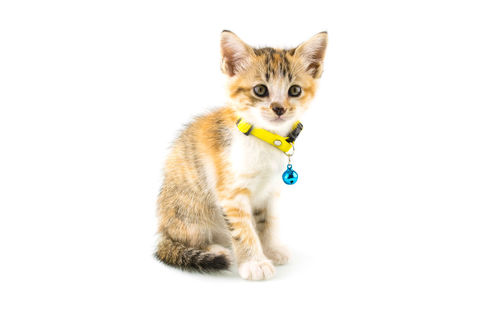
(312, 53)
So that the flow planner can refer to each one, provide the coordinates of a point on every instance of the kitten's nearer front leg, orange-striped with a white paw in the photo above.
(252, 263)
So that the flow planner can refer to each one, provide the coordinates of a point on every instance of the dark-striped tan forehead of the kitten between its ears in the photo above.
(275, 63)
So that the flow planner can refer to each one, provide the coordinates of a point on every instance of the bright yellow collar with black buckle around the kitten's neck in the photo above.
(282, 143)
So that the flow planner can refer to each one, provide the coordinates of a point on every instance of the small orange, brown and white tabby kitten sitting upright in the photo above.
(220, 189)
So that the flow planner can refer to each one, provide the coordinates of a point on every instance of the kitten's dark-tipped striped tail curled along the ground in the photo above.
(188, 258)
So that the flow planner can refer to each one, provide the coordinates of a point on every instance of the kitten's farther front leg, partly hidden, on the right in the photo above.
(267, 228)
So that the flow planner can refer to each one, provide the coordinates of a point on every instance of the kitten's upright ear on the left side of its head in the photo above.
(235, 53)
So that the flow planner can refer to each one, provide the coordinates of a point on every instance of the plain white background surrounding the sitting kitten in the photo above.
(397, 206)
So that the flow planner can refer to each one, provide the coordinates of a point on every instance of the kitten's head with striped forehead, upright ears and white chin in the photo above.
(268, 87)
